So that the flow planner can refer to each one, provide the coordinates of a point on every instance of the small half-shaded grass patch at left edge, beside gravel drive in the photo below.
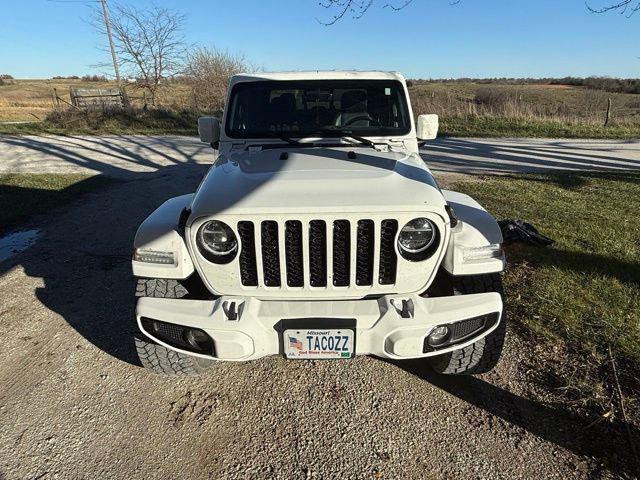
(30, 194)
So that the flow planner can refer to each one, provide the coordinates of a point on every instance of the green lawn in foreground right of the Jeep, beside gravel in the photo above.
(582, 294)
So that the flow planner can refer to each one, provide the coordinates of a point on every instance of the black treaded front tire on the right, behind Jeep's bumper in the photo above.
(483, 355)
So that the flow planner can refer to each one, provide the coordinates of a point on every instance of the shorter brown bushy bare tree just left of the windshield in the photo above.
(208, 72)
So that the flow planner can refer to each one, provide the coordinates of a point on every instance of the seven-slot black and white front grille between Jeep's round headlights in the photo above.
(348, 260)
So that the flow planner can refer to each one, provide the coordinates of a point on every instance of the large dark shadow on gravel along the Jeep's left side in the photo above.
(84, 260)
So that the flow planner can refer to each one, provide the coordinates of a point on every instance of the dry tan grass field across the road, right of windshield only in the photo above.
(555, 111)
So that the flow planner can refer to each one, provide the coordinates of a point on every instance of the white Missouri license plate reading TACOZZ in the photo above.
(333, 343)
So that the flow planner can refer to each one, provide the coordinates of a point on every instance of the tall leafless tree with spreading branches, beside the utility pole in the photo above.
(149, 44)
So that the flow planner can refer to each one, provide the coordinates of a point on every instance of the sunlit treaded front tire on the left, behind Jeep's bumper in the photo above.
(154, 356)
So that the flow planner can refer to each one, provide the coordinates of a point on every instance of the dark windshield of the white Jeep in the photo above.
(322, 108)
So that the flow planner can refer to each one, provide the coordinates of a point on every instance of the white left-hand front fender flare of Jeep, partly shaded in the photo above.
(160, 232)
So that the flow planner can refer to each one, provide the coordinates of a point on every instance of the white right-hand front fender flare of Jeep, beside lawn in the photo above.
(476, 228)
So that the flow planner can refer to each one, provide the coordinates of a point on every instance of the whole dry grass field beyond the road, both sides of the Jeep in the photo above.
(465, 109)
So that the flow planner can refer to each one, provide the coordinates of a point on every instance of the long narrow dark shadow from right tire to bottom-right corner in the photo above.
(605, 442)
